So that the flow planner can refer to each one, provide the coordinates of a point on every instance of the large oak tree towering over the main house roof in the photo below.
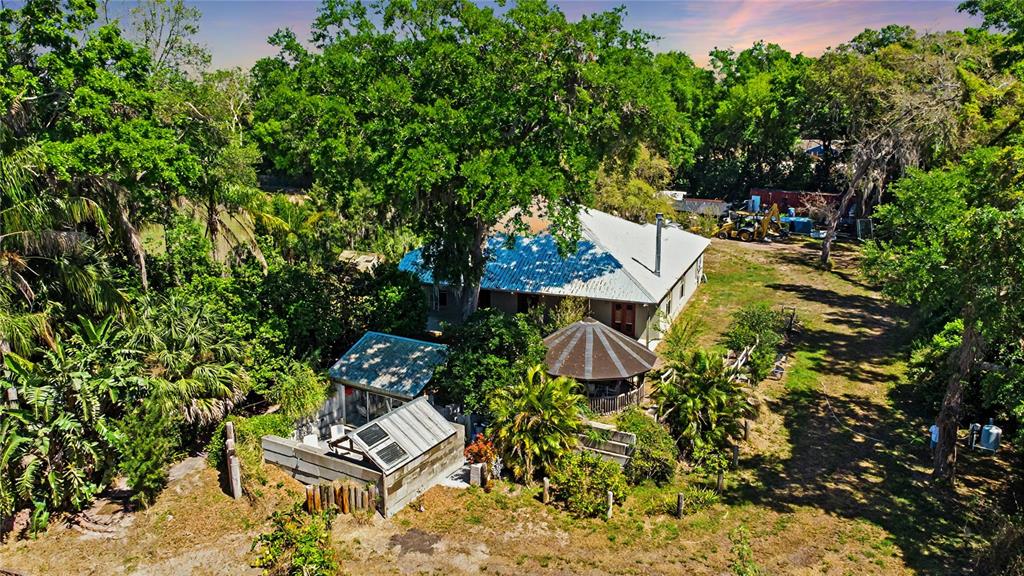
(448, 116)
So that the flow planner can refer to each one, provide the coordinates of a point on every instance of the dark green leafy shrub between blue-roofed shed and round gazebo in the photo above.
(490, 351)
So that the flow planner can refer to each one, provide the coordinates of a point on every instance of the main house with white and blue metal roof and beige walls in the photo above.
(635, 278)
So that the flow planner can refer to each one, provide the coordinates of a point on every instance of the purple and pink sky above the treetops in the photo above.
(236, 31)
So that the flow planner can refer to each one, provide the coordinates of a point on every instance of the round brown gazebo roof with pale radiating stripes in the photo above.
(591, 351)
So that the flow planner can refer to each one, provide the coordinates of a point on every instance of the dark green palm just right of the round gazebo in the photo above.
(703, 403)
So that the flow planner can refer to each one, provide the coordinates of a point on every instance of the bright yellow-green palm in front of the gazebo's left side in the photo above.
(536, 422)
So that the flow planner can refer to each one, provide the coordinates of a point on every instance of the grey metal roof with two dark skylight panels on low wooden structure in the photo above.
(414, 427)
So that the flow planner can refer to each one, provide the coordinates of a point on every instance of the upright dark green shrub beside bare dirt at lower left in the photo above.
(149, 442)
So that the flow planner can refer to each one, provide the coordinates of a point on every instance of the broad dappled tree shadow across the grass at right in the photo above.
(860, 459)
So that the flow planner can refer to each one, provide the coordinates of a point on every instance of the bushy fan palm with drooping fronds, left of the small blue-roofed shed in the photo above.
(194, 366)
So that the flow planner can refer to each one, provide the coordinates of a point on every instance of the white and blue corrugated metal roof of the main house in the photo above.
(614, 261)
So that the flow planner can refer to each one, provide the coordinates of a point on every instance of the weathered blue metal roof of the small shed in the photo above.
(391, 364)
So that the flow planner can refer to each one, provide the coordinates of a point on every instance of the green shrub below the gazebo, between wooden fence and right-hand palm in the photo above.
(656, 454)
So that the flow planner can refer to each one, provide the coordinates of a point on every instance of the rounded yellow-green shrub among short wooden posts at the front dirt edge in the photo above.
(582, 482)
